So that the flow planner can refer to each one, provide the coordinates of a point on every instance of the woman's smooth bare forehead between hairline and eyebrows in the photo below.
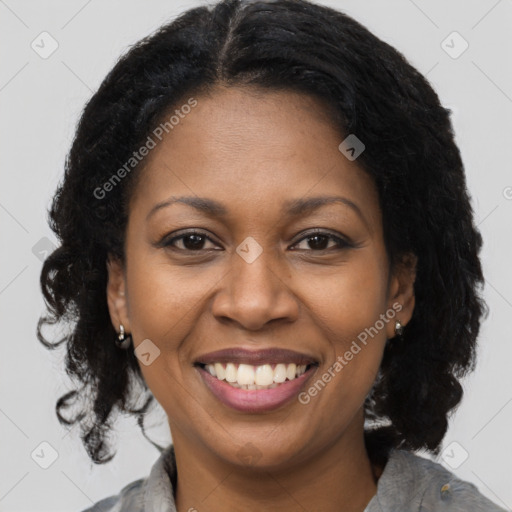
(253, 149)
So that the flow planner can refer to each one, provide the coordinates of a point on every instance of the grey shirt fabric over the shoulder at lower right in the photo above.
(410, 482)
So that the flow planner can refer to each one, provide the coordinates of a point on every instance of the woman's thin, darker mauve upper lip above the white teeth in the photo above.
(240, 355)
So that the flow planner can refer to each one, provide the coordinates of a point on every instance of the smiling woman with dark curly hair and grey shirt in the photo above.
(293, 267)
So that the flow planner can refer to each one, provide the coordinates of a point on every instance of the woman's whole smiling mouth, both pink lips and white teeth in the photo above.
(251, 381)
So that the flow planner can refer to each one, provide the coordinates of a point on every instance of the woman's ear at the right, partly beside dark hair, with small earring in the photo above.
(401, 292)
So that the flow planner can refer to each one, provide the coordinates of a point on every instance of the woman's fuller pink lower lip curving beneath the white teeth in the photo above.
(255, 400)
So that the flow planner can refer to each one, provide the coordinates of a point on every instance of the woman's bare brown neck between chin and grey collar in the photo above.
(338, 478)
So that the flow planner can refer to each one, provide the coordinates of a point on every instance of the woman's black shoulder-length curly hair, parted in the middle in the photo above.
(369, 89)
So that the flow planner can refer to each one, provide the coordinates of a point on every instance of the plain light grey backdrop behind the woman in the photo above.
(40, 101)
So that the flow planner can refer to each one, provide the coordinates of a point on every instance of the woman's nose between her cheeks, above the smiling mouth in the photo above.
(256, 293)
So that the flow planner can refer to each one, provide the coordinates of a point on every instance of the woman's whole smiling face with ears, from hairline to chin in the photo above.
(267, 267)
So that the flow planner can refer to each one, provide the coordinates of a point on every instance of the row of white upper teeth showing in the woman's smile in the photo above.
(246, 376)
